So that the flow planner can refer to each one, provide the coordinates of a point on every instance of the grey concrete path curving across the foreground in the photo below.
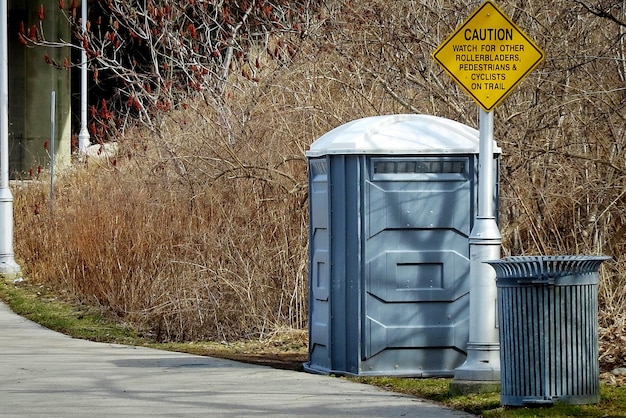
(44, 373)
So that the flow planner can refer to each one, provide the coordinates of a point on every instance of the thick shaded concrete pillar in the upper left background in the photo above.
(31, 83)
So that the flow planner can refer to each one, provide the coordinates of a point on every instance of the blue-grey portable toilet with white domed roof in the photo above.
(392, 202)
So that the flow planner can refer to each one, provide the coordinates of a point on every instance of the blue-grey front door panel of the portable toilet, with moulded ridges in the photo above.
(418, 218)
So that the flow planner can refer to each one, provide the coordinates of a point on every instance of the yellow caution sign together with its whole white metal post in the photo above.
(488, 56)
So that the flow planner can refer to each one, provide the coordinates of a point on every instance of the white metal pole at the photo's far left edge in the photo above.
(8, 266)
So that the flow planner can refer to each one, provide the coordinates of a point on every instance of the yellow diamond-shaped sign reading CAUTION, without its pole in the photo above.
(488, 55)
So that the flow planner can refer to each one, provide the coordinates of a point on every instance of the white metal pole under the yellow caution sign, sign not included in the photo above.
(483, 350)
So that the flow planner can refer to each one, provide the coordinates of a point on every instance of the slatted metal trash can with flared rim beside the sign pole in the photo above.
(548, 327)
